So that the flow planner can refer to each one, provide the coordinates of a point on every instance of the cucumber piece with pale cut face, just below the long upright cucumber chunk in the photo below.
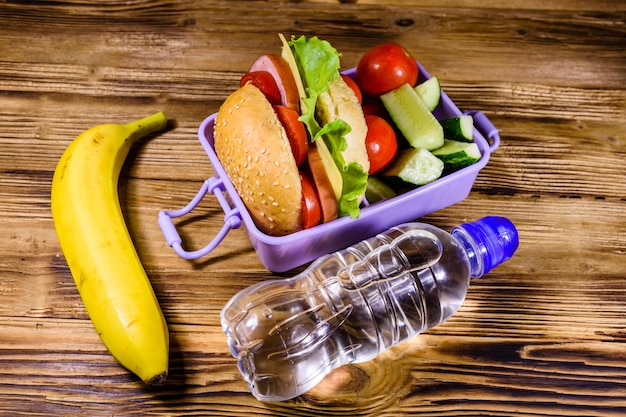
(416, 166)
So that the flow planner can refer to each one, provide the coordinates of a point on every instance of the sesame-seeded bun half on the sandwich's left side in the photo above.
(254, 150)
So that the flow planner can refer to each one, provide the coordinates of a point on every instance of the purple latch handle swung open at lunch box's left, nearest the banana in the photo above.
(232, 220)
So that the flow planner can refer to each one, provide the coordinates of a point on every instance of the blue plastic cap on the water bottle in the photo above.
(496, 238)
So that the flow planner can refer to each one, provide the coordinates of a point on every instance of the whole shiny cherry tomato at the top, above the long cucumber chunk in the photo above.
(384, 68)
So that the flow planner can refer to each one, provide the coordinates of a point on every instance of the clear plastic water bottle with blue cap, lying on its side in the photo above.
(349, 306)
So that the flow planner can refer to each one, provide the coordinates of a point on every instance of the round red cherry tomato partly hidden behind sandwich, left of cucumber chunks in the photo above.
(380, 142)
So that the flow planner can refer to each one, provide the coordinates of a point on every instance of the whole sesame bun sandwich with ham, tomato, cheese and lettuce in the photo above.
(292, 139)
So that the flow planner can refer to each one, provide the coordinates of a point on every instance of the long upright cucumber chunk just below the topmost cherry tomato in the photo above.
(413, 118)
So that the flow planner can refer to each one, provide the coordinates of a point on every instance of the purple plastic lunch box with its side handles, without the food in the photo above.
(282, 253)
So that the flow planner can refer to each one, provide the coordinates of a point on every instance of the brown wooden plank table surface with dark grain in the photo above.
(543, 334)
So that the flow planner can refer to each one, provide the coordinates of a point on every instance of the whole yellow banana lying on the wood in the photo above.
(99, 251)
